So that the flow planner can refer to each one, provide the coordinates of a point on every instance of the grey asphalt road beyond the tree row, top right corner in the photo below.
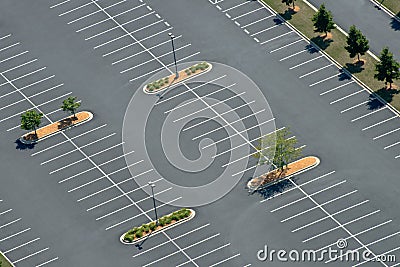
(380, 28)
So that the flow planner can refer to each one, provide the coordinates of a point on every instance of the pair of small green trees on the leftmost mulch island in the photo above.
(31, 119)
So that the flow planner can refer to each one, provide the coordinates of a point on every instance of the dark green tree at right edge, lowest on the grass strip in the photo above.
(388, 68)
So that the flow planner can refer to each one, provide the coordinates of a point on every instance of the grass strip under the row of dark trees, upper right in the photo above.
(335, 48)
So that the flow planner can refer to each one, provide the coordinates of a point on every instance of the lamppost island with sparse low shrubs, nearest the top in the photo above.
(163, 83)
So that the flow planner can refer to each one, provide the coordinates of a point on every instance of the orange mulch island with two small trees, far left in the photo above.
(57, 126)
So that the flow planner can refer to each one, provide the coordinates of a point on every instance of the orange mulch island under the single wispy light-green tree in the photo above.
(277, 175)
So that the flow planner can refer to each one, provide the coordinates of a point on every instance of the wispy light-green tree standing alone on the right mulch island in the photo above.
(279, 147)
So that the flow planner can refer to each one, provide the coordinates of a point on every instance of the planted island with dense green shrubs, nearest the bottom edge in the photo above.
(137, 234)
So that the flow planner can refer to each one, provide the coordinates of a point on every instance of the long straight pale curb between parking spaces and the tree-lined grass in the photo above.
(362, 84)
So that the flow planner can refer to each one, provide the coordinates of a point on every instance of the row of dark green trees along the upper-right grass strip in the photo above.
(387, 70)
